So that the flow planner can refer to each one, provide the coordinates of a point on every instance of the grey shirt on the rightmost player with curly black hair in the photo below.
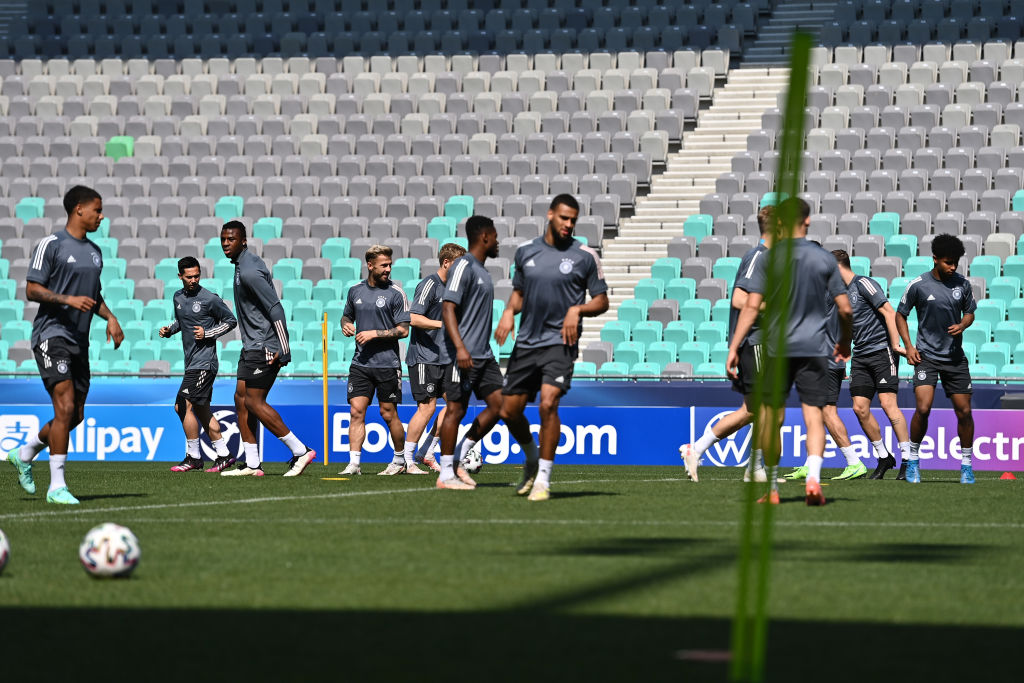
(940, 304)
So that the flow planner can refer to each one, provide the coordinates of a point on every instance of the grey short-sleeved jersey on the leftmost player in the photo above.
(66, 266)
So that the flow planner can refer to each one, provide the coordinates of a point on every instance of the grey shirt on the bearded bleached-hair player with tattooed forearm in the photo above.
(376, 309)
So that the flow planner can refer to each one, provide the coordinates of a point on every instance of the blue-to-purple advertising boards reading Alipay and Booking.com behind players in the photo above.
(604, 423)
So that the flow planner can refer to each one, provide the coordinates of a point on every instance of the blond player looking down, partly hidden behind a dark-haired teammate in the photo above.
(428, 356)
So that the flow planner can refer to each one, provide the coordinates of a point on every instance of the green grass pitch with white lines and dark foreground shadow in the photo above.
(626, 575)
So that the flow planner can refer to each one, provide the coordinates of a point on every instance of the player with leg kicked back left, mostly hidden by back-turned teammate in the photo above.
(750, 362)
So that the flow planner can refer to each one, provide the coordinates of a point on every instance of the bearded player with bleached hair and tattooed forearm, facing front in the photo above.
(377, 315)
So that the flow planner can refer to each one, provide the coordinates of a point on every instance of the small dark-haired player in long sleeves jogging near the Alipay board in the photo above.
(201, 317)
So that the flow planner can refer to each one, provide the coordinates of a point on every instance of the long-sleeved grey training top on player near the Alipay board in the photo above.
(205, 310)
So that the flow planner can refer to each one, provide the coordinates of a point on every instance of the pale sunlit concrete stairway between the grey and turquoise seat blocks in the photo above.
(691, 174)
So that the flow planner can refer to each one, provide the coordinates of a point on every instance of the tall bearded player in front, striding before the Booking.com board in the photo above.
(553, 275)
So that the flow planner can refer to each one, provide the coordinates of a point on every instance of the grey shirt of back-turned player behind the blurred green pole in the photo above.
(816, 278)
